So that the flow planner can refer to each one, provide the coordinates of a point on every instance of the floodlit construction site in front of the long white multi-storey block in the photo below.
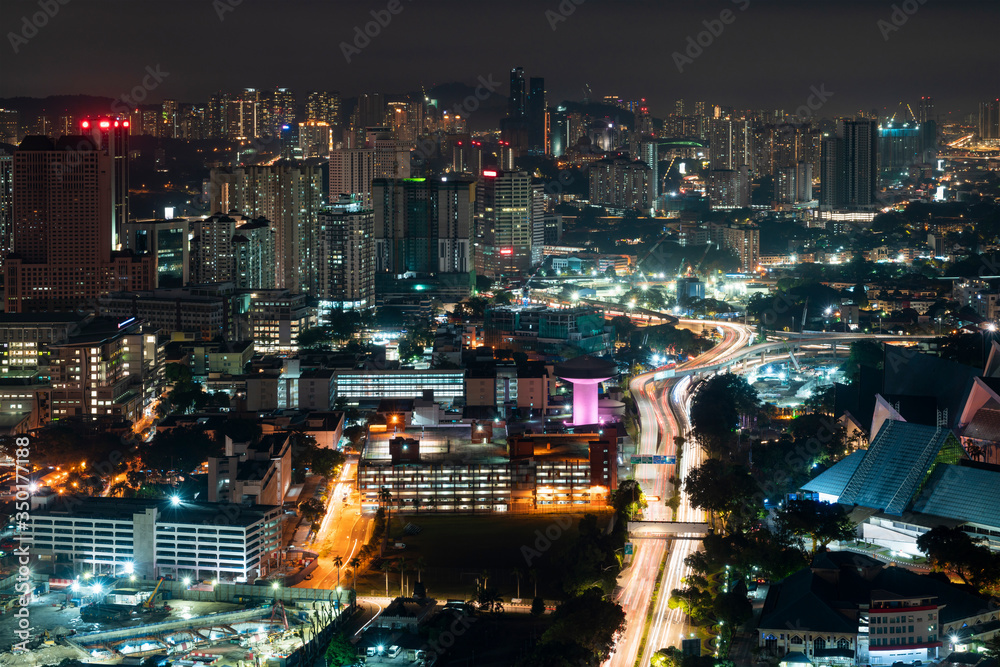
(123, 621)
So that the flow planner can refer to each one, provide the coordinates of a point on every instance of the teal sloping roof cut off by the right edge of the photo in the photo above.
(961, 492)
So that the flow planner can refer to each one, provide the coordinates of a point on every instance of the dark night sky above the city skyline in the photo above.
(768, 56)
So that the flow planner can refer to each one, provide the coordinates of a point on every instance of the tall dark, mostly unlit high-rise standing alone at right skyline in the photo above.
(849, 172)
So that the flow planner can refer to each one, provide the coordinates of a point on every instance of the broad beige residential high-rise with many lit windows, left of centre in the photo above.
(289, 194)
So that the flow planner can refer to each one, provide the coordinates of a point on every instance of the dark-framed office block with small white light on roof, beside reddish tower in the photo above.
(167, 241)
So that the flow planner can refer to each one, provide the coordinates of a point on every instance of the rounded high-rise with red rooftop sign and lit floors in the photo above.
(510, 227)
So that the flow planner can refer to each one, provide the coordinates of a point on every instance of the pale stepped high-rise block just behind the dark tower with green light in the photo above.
(352, 170)
